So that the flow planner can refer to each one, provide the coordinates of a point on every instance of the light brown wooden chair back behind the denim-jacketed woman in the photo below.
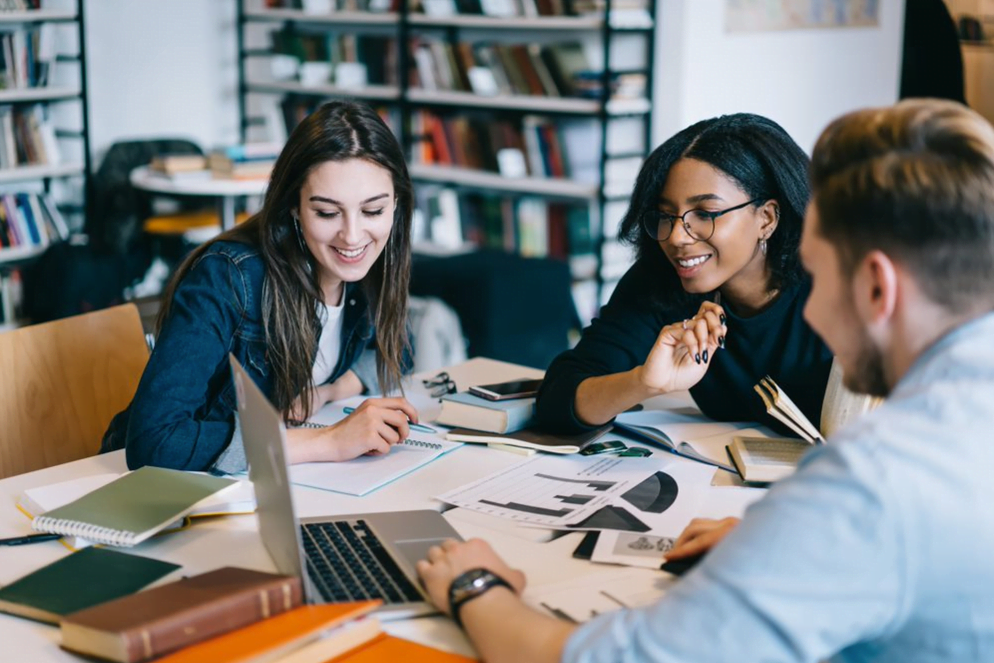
(63, 382)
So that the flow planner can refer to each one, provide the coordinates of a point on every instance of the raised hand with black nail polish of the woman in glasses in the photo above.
(683, 350)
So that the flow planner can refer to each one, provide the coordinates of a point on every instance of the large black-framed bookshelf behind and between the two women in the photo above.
(529, 92)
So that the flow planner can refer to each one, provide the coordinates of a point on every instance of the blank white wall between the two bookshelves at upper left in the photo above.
(161, 69)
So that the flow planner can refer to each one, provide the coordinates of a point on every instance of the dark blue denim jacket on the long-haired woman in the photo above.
(183, 413)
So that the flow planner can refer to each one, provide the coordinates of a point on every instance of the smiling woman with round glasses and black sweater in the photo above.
(715, 299)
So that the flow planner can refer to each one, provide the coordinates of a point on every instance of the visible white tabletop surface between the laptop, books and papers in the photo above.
(234, 540)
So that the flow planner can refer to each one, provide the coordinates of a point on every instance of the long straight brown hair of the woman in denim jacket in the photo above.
(336, 131)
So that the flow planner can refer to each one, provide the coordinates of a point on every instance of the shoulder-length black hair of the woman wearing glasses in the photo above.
(765, 162)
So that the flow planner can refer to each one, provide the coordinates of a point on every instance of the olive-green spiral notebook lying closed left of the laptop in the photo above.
(132, 508)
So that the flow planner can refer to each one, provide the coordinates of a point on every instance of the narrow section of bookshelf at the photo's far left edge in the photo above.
(44, 136)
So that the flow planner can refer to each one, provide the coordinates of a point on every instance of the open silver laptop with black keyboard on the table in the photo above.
(339, 558)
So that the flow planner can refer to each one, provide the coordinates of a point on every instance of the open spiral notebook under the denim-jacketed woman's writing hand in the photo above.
(367, 473)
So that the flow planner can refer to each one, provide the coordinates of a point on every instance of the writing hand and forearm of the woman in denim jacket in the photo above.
(375, 426)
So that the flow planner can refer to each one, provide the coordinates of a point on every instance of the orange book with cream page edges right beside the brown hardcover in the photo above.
(308, 634)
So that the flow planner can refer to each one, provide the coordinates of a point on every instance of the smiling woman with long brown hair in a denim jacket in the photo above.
(310, 295)
